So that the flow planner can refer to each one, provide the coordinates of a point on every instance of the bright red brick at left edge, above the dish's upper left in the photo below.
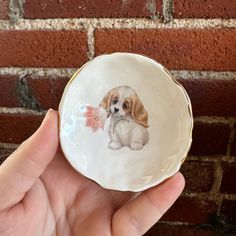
(43, 48)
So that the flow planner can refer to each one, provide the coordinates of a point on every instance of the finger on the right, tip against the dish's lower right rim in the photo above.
(140, 214)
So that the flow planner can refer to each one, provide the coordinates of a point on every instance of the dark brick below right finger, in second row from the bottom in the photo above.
(190, 210)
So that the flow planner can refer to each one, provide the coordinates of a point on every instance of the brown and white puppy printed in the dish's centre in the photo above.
(128, 118)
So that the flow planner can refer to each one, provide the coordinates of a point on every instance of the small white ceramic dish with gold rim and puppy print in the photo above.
(125, 122)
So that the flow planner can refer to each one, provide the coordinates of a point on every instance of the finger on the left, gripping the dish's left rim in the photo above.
(21, 169)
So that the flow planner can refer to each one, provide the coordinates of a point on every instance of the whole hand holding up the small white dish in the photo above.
(41, 194)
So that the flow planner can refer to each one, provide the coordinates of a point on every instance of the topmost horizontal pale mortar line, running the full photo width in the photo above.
(115, 23)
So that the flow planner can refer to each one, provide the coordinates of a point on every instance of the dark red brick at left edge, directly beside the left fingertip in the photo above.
(15, 128)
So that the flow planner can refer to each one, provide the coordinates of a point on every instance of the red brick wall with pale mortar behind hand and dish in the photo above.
(43, 42)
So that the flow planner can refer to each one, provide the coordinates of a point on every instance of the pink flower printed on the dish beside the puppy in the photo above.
(94, 118)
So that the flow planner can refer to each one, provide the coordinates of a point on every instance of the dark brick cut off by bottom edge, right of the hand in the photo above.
(165, 229)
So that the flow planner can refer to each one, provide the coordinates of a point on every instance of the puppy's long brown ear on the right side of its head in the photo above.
(138, 112)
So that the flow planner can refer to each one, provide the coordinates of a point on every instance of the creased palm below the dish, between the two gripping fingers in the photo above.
(62, 202)
